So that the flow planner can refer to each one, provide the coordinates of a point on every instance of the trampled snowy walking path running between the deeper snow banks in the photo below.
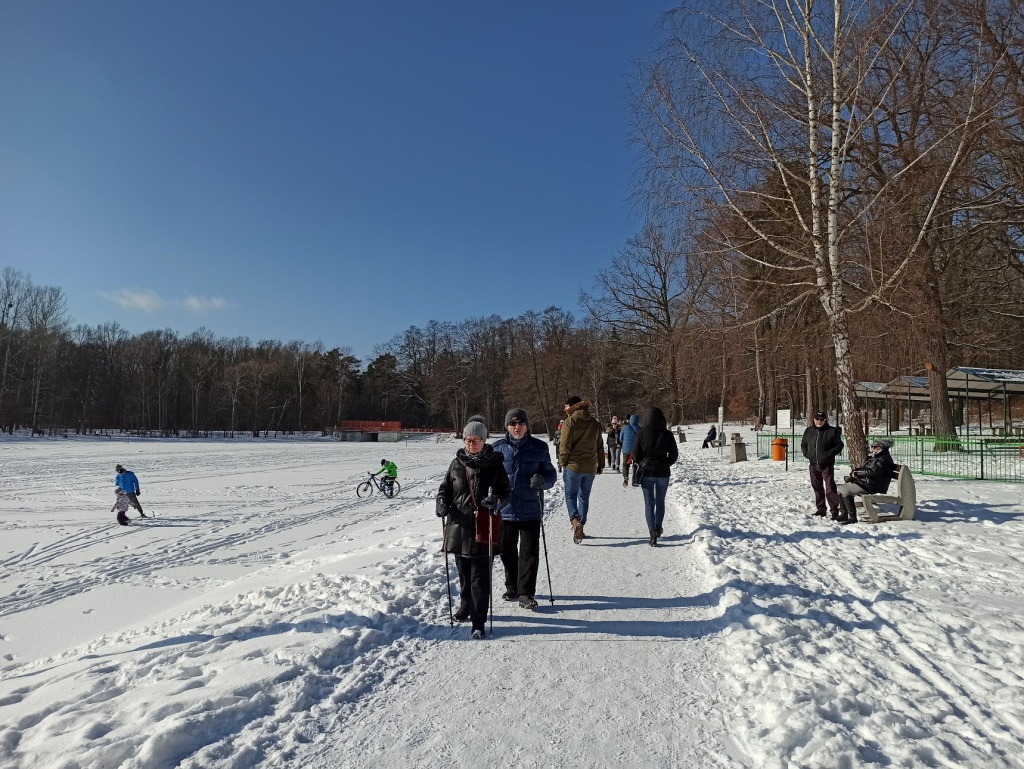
(621, 671)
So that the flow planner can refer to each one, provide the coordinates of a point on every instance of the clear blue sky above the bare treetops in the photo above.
(318, 170)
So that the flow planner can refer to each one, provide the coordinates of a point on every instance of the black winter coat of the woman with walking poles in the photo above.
(485, 474)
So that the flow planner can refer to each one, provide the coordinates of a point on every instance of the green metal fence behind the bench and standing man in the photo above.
(975, 458)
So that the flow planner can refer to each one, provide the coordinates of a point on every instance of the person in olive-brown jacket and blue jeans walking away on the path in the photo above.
(581, 454)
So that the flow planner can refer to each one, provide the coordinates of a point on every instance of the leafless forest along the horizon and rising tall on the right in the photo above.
(832, 194)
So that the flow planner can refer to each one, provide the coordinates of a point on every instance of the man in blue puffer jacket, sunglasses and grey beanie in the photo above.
(528, 463)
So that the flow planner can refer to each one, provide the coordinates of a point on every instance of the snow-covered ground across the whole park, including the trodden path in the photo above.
(268, 617)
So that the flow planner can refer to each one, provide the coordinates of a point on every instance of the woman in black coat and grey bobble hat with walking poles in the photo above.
(476, 480)
